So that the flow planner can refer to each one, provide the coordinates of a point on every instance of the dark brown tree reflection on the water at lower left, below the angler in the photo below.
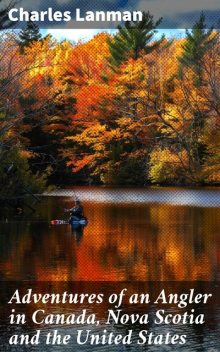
(40, 254)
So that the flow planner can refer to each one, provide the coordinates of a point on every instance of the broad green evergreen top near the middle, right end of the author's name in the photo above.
(132, 39)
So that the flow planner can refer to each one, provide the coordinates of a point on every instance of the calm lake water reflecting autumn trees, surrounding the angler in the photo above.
(132, 235)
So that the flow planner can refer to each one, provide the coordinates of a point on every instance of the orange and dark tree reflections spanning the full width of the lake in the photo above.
(120, 243)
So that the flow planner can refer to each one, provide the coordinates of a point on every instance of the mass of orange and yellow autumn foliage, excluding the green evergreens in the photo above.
(142, 110)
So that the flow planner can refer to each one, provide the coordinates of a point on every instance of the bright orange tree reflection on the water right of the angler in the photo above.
(156, 243)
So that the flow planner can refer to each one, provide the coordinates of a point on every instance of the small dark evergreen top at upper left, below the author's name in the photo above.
(28, 35)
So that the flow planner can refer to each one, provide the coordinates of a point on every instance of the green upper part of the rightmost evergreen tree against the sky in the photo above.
(198, 42)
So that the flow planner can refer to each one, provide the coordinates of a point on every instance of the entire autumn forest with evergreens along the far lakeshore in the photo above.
(131, 108)
